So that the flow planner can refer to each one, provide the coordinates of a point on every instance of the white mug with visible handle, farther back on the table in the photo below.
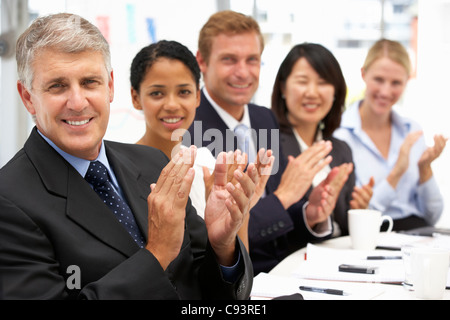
(364, 227)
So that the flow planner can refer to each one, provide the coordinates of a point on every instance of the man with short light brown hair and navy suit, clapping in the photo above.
(230, 48)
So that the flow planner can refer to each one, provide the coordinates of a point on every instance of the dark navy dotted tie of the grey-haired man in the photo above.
(97, 176)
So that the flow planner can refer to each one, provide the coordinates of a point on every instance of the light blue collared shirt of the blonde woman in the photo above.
(410, 197)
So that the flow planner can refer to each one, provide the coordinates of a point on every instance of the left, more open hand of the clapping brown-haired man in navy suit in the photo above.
(300, 172)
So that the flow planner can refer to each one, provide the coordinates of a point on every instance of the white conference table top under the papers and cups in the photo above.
(284, 279)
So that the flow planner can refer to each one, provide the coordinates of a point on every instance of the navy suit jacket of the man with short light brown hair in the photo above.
(274, 232)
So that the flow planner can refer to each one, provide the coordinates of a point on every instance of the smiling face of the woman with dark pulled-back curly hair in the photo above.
(169, 96)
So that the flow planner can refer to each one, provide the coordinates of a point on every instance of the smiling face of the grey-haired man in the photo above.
(70, 100)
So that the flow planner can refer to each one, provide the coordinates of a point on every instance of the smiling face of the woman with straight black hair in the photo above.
(308, 97)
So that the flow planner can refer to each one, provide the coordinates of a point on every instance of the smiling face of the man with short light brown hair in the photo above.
(231, 75)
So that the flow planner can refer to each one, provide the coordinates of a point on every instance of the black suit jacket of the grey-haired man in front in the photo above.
(50, 219)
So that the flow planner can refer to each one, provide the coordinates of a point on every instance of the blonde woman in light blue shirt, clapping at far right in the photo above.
(389, 147)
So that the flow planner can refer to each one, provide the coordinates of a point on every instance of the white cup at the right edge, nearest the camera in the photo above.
(429, 270)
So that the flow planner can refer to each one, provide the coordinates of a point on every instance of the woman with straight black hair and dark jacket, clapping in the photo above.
(308, 99)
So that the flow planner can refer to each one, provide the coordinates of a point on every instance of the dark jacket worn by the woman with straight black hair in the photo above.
(341, 153)
